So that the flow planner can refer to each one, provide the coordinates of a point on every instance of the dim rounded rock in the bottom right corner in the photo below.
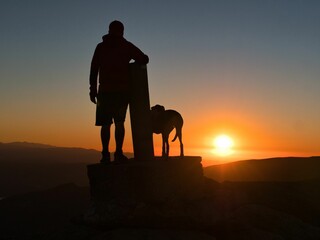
(260, 222)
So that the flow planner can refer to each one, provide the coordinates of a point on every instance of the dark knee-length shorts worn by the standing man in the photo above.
(111, 107)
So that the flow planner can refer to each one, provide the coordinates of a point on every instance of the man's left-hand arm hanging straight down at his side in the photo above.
(94, 70)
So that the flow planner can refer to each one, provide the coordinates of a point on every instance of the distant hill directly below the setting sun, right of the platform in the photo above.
(273, 169)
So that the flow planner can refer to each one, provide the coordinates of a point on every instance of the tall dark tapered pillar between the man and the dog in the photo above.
(140, 113)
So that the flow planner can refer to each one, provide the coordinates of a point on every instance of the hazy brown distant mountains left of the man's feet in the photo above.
(26, 167)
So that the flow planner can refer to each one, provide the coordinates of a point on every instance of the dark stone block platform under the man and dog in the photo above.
(157, 193)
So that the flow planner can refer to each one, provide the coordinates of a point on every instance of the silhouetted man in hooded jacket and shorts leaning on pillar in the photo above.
(111, 62)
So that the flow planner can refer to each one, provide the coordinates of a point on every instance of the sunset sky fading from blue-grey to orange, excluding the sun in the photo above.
(248, 68)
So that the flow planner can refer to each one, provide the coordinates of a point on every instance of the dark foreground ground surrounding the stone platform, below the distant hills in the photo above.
(228, 211)
